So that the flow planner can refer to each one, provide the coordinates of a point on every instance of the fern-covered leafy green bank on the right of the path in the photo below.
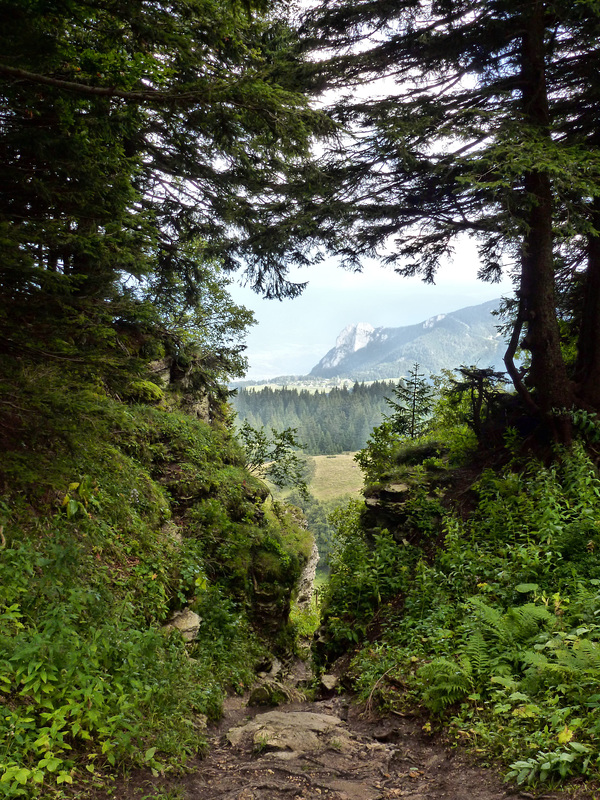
(469, 586)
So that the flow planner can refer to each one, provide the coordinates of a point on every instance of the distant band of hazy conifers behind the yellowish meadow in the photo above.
(326, 422)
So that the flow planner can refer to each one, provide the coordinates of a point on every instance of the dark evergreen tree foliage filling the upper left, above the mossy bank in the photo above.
(132, 137)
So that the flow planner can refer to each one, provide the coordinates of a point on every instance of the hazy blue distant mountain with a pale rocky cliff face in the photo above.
(467, 336)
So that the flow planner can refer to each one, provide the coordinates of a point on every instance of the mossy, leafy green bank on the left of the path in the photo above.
(116, 517)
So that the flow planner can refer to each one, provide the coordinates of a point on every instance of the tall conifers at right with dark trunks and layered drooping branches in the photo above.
(487, 130)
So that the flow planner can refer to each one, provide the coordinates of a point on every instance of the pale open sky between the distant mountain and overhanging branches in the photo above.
(291, 336)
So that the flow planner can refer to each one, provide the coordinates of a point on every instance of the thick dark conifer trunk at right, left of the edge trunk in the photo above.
(548, 375)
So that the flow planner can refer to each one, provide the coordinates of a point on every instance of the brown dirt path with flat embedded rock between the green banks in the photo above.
(328, 749)
